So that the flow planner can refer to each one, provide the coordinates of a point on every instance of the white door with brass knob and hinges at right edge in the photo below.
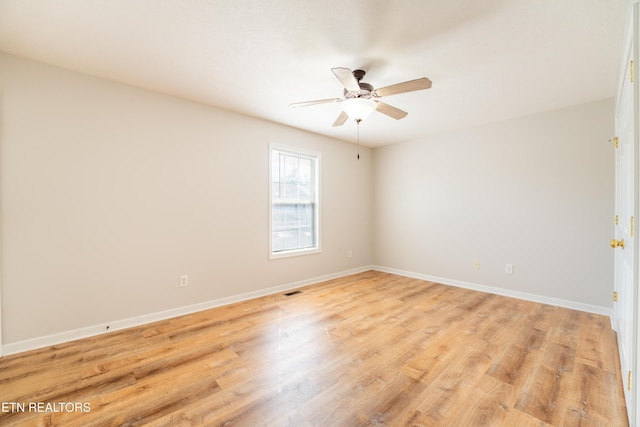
(624, 318)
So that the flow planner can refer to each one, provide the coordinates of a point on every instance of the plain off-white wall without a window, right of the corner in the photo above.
(535, 192)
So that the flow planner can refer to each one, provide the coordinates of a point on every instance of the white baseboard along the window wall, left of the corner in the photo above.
(89, 331)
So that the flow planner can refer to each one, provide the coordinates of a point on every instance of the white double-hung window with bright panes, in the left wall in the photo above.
(294, 202)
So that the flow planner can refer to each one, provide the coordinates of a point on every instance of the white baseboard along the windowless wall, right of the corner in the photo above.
(605, 311)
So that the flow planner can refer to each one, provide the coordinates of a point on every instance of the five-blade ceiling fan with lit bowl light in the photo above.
(360, 98)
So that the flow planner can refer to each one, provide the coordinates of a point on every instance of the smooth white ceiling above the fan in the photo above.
(489, 60)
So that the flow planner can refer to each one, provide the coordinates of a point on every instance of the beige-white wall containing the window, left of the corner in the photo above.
(109, 193)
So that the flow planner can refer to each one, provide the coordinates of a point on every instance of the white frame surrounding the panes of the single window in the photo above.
(316, 158)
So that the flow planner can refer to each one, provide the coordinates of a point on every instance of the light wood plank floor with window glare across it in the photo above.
(370, 349)
